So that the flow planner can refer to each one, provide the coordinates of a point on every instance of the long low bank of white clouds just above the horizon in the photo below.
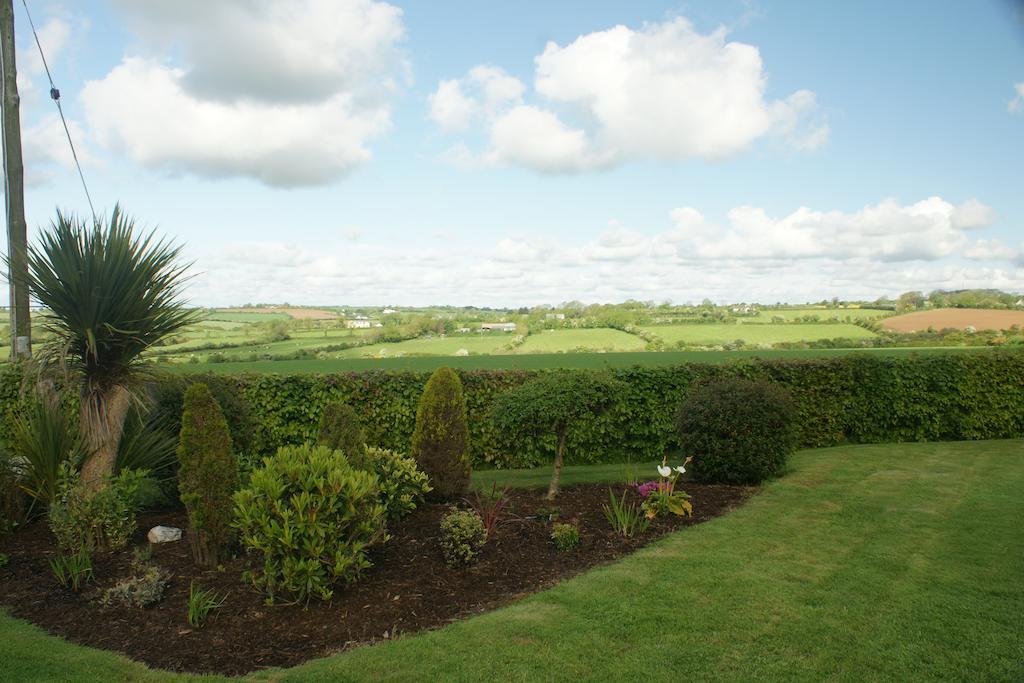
(804, 255)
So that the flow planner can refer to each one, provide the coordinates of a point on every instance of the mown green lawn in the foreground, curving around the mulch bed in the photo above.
(899, 563)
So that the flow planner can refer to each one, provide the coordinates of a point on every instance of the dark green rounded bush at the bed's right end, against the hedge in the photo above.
(739, 432)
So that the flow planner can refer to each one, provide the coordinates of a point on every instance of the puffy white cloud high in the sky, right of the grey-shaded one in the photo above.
(663, 92)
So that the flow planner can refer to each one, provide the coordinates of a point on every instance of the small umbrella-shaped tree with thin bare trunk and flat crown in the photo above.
(552, 404)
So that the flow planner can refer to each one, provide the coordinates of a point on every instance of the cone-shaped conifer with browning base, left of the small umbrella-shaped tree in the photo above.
(441, 441)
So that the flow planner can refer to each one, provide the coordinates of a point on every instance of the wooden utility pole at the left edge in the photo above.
(14, 172)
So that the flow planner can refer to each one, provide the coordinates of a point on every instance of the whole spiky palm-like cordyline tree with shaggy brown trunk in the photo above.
(111, 294)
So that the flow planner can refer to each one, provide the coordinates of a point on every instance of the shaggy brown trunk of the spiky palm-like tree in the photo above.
(103, 422)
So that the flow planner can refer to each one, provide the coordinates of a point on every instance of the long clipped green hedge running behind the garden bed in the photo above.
(855, 399)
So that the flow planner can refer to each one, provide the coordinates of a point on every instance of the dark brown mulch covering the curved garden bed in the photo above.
(409, 588)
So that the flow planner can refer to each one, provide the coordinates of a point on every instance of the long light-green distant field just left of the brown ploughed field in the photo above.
(712, 333)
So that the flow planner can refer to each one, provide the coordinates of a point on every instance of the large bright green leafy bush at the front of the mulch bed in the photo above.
(306, 554)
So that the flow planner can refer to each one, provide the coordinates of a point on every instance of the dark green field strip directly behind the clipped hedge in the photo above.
(545, 361)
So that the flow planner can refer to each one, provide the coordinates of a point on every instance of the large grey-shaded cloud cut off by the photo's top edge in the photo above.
(288, 93)
